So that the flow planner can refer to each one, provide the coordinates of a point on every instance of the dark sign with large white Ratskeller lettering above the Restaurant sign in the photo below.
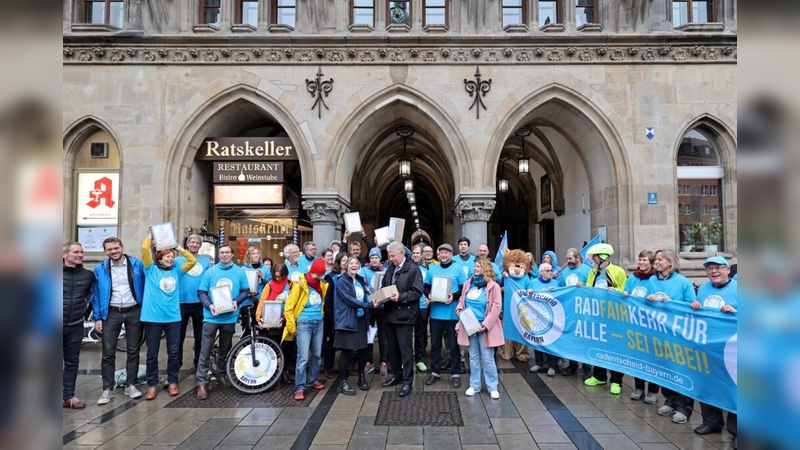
(248, 149)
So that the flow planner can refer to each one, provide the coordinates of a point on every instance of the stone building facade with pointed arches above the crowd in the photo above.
(600, 100)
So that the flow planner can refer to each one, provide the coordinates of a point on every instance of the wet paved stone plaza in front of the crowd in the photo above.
(534, 411)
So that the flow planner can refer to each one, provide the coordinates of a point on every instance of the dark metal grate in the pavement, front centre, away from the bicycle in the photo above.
(436, 409)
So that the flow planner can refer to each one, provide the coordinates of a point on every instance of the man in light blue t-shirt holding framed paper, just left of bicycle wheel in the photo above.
(223, 274)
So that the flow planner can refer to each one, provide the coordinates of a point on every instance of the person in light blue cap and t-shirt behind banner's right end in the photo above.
(719, 293)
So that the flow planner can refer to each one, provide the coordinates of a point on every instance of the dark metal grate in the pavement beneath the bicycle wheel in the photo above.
(219, 397)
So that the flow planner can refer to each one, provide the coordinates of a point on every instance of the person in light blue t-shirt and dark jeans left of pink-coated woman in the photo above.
(443, 315)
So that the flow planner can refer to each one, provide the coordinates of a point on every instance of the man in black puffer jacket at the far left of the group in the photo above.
(78, 284)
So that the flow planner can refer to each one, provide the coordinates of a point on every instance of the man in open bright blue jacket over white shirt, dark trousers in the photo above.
(117, 301)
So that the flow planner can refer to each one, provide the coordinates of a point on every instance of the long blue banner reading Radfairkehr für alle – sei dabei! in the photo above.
(692, 352)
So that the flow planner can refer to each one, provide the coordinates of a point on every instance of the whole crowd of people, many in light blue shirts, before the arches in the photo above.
(326, 308)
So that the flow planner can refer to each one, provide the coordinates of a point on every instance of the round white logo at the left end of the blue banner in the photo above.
(539, 317)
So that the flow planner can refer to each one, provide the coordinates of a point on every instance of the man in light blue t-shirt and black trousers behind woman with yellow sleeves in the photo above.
(191, 308)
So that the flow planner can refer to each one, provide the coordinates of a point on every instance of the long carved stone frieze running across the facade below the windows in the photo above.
(684, 52)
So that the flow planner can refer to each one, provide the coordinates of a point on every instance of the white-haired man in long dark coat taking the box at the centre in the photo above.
(401, 312)
